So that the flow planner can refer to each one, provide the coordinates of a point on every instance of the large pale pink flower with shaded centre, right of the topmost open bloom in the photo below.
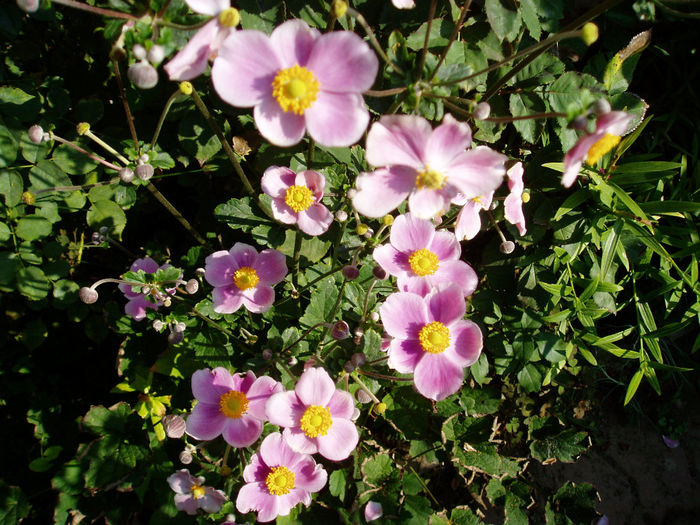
(430, 167)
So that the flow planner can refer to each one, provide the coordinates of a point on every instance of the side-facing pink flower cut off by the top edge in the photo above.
(192, 59)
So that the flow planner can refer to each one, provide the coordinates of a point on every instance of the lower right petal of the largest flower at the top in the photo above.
(337, 119)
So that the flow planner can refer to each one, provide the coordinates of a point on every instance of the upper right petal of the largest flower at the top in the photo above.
(343, 63)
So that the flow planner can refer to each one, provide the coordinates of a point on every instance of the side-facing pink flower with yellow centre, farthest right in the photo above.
(591, 147)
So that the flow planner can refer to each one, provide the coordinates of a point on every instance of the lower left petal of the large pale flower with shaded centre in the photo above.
(383, 190)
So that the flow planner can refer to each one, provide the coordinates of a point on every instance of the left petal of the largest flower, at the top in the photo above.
(244, 69)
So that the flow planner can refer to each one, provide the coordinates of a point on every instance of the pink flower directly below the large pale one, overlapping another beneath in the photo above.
(421, 258)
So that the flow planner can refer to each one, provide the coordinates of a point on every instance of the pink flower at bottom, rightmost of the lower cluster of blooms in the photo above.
(316, 416)
